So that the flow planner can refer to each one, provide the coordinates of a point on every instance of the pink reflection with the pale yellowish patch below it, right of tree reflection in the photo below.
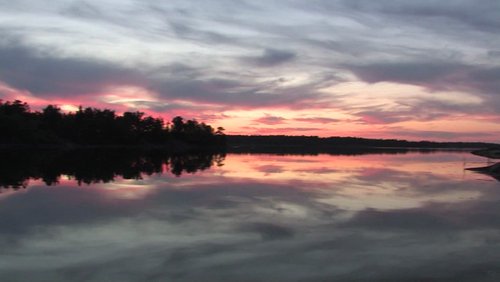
(381, 181)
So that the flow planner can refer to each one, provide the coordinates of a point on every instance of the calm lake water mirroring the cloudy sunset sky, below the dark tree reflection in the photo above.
(376, 217)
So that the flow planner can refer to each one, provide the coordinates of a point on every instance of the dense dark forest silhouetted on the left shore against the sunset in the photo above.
(91, 126)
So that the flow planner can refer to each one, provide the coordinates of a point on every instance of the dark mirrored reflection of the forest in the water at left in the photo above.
(94, 166)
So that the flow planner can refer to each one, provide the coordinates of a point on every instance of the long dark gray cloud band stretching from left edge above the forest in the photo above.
(46, 75)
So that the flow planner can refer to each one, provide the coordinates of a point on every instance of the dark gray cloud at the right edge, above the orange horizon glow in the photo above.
(479, 81)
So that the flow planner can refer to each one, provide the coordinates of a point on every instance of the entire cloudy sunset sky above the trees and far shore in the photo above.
(417, 70)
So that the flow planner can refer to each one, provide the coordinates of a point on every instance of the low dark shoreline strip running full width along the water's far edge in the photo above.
(279, 144)
